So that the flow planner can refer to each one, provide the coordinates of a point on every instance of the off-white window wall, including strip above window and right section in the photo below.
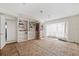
(72, 26)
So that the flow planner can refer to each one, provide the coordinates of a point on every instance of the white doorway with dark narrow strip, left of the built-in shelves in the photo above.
(10, 31)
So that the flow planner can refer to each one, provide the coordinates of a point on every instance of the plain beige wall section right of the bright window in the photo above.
(73, 29)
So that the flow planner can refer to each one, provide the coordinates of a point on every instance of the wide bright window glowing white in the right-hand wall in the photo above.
(56, 30)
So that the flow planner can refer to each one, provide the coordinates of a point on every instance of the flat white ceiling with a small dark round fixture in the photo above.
(43, 11)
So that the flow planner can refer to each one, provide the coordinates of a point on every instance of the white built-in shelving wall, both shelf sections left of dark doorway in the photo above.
(26, 29)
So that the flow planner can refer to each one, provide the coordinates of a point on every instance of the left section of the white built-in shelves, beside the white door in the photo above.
(22, 30)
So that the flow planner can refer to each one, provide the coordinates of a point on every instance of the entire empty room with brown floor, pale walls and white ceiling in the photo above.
(39, 29)
